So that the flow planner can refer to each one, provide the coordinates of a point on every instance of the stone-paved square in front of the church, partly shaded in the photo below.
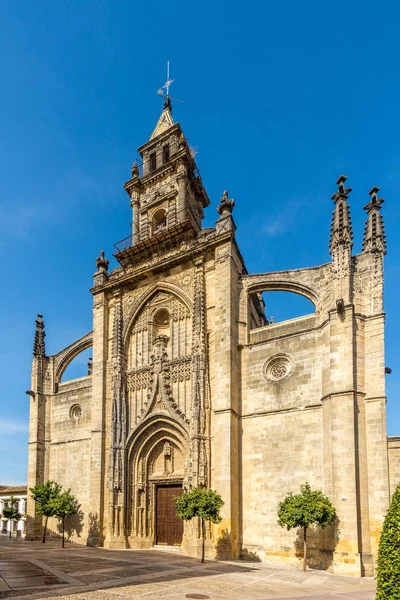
(34, 570)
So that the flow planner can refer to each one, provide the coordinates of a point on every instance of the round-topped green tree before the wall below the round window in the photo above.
(310, 507)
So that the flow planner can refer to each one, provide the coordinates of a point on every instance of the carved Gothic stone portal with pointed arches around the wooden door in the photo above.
(168, 383)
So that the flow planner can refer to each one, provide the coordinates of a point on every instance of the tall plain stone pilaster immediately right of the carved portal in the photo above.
(225, 403)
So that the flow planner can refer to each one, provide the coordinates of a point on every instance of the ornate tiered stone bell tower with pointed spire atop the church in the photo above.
(166, 192)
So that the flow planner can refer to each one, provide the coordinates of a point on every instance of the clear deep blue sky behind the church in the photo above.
(279, 98)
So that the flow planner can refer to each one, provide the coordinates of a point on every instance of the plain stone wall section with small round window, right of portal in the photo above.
(282, 444)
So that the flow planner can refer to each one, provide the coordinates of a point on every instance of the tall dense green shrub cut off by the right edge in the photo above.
(388, 568)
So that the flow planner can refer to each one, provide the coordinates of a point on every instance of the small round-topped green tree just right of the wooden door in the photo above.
(203, 503)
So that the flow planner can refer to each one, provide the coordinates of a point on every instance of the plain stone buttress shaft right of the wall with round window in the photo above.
(340, 425)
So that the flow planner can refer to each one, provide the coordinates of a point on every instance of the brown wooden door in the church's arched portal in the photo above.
(169, 528)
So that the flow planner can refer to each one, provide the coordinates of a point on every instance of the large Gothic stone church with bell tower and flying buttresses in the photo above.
(190, 385)
